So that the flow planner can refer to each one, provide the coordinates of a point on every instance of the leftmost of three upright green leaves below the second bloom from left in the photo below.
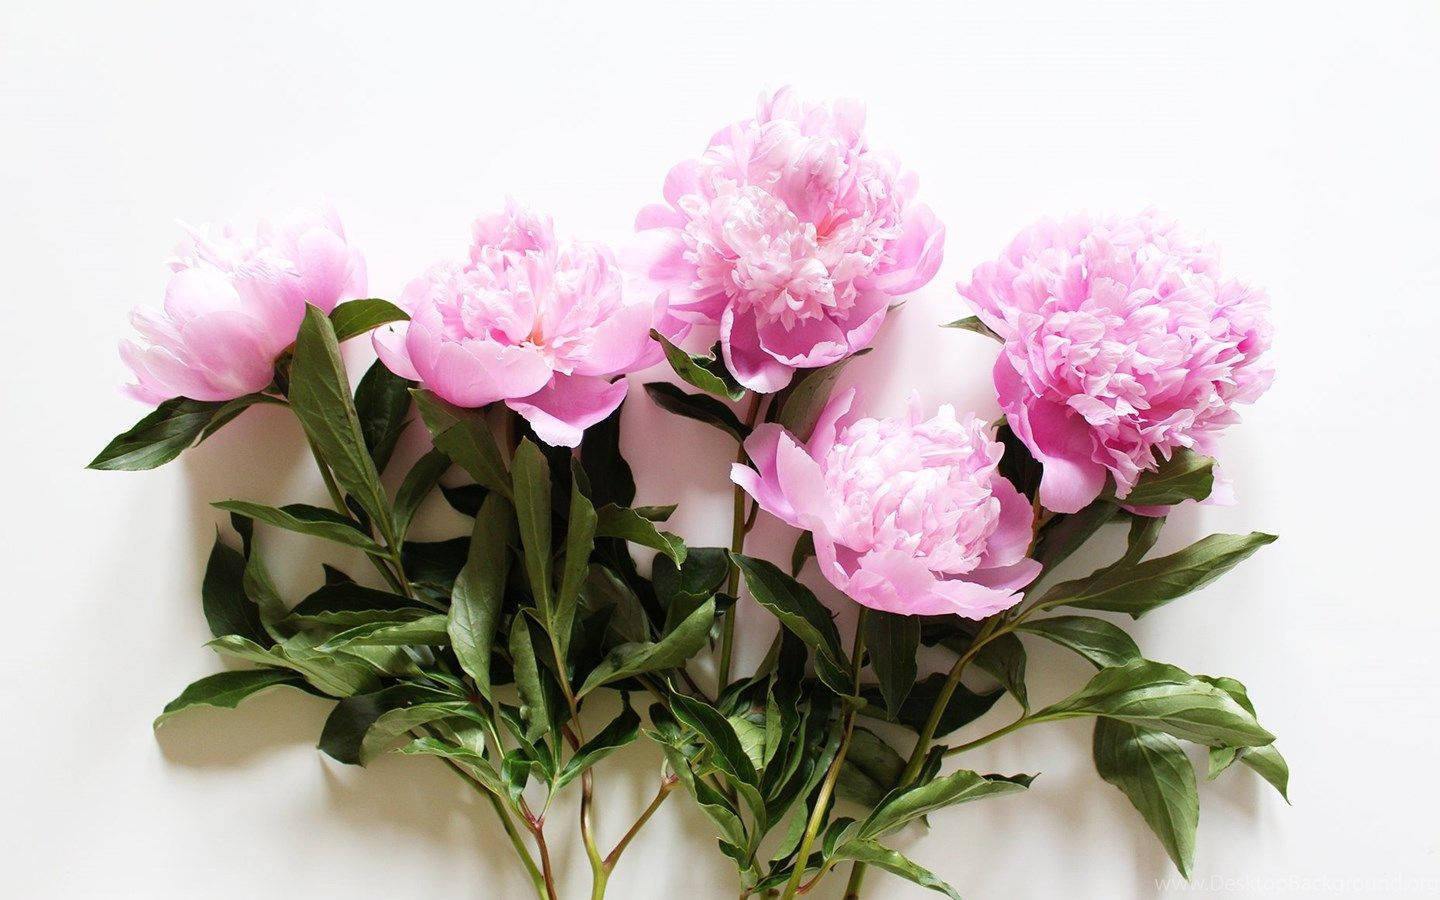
(480, 590)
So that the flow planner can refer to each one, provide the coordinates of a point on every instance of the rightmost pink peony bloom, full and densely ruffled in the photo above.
(1122, 343)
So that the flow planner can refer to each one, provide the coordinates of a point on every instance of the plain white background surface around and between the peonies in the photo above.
(1301, 136)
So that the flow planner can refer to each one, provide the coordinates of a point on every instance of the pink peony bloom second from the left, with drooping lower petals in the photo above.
(531, 322)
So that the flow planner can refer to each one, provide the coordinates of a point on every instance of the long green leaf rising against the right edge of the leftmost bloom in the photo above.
(320, 397)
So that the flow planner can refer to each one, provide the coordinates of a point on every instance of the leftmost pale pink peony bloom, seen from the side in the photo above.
(234, 305)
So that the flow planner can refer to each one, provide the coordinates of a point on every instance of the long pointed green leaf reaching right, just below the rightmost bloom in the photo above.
(1138, 590)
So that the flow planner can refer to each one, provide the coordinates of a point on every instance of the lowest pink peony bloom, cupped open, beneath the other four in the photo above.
(909, 516)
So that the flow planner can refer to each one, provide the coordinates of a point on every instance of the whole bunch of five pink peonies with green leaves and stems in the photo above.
(1124, 354)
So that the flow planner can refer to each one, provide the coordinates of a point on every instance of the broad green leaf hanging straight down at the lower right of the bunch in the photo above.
(1151, 768)
